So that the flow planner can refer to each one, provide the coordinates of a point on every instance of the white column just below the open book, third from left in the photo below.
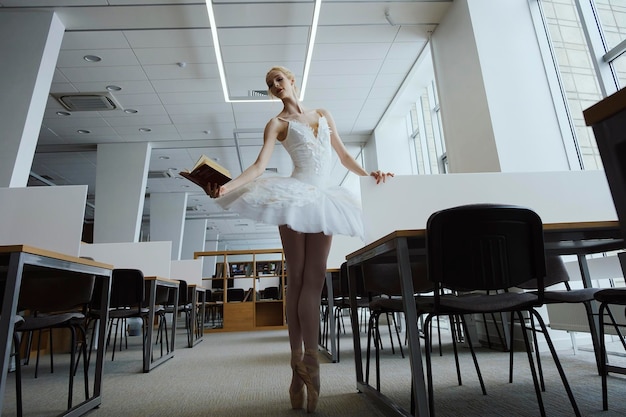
(167, 219)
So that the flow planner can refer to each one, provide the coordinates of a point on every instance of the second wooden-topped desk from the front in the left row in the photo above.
(149, 362)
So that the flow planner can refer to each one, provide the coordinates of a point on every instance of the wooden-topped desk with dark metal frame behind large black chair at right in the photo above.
(402, 246)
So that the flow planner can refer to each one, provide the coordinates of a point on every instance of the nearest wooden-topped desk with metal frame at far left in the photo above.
(17, 259)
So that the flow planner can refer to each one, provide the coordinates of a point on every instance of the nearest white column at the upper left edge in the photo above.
(29, 46)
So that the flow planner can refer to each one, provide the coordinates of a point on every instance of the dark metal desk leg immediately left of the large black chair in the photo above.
(415, 351)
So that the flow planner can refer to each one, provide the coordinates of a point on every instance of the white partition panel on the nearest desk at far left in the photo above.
(45, 217)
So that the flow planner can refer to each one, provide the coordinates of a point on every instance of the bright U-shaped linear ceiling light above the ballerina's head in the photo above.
(220, 62)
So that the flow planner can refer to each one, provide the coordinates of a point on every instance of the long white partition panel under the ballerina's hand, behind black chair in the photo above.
(406, 202)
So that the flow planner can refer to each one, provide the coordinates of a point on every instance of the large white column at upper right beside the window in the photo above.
(497, 111)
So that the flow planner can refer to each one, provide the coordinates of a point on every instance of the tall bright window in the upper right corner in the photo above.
(586, 39)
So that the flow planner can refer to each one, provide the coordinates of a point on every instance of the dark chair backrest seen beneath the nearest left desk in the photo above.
(48, 292)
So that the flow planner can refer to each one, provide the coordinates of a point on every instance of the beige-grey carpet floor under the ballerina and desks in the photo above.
(247, 374)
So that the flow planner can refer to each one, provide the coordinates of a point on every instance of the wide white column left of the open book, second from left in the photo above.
(121, 176)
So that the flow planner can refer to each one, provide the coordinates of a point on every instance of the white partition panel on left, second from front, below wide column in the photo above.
(152, 258)
